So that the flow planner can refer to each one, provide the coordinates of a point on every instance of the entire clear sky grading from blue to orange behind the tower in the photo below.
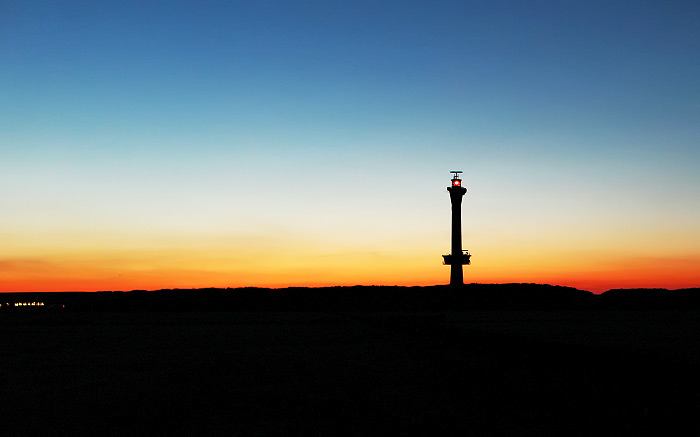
(172, 144)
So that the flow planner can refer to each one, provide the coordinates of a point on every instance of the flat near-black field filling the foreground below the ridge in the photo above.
(352, 373)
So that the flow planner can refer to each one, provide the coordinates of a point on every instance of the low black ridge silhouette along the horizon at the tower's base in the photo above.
(361, 298)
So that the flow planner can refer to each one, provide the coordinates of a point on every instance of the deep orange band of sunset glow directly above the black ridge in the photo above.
(171, 269)
